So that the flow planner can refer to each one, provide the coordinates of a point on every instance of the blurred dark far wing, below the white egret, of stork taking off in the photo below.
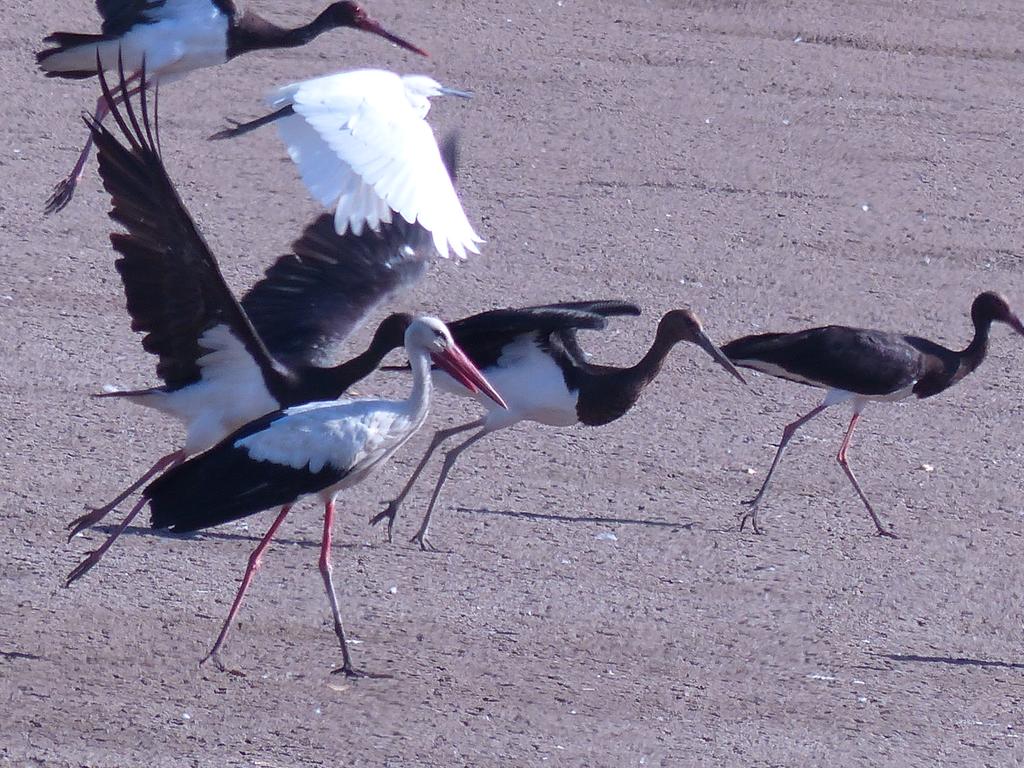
(311, 301)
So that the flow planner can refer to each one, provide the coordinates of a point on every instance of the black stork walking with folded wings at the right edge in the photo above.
(860, 366)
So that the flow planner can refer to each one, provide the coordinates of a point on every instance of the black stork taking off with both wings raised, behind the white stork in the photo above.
(225, 363)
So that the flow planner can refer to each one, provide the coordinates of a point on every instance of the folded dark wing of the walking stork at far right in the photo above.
(833, 357)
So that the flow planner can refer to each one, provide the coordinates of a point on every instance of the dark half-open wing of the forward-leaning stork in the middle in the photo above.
(485, 336)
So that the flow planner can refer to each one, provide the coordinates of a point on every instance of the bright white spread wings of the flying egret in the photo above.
(362, 146)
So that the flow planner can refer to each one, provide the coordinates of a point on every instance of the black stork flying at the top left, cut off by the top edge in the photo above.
(176, 37)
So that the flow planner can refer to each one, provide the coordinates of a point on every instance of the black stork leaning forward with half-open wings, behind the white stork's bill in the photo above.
(533, 358)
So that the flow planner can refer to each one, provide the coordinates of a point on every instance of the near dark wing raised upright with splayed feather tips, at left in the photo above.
(174, 287)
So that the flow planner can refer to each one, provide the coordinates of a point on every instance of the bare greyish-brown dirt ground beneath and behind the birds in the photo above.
(593, 604)
